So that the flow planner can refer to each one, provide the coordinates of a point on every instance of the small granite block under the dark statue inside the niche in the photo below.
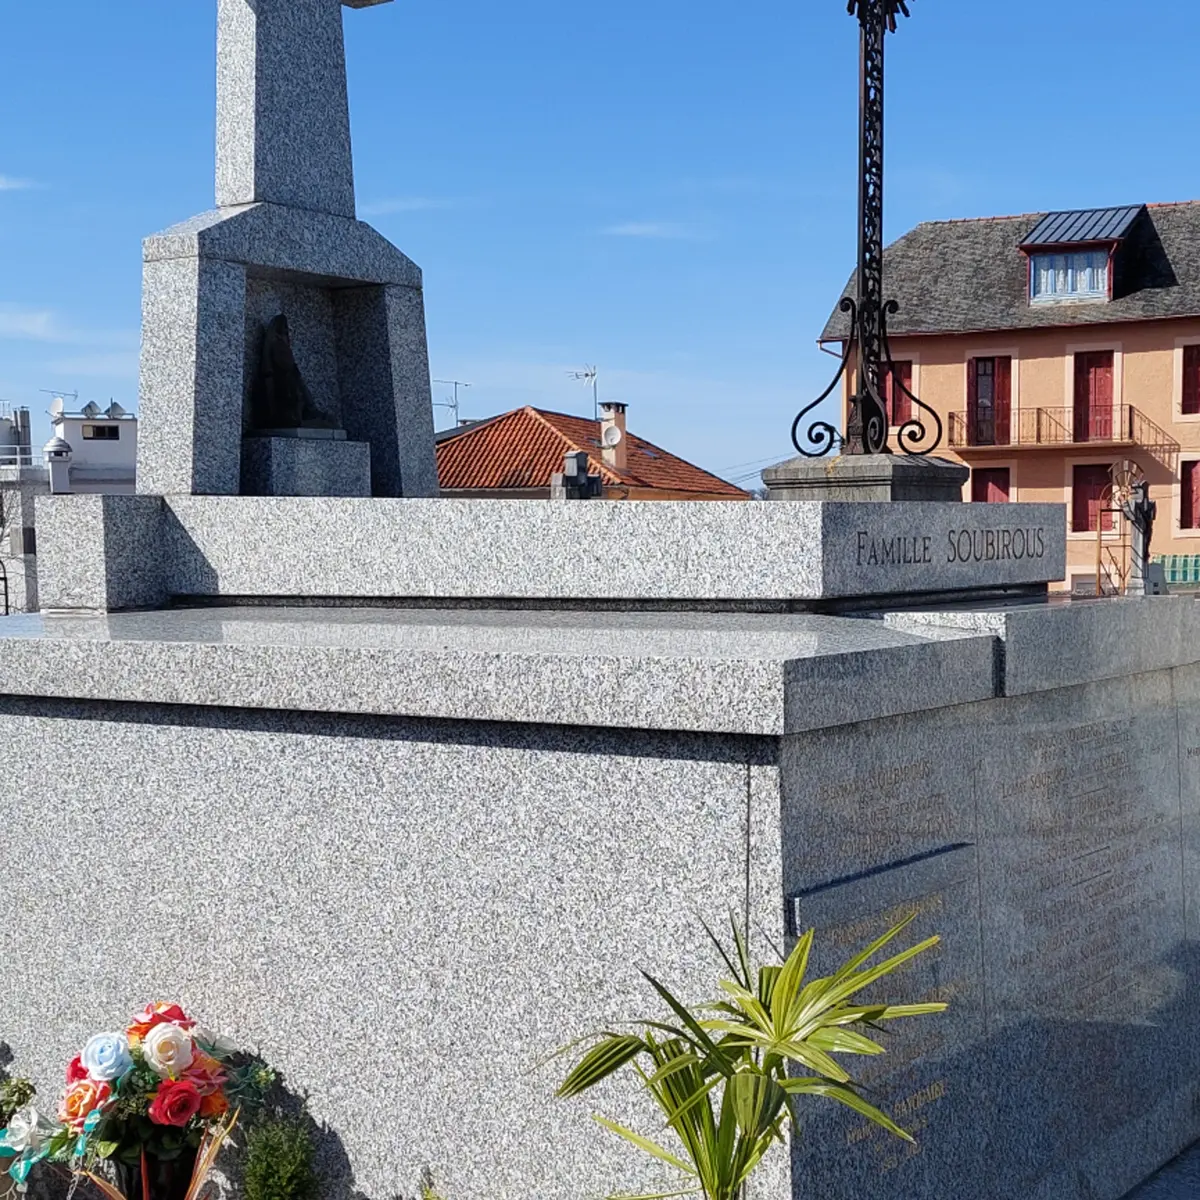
(305, 466)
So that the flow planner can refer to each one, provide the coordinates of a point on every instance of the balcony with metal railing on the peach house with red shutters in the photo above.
(1120, 425)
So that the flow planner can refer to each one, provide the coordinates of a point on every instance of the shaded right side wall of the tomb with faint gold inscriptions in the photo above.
(1077, 1065)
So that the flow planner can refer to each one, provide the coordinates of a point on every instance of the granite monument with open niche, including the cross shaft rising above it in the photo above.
(284, 241)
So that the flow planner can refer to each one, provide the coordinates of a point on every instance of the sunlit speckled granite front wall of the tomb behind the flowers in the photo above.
(406, 917)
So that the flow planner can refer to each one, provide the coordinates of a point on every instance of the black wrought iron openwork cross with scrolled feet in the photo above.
(867, 429)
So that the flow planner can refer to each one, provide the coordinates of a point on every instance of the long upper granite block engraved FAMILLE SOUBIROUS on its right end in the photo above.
(451, 549)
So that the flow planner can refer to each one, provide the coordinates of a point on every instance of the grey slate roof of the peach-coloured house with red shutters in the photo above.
(970, 277)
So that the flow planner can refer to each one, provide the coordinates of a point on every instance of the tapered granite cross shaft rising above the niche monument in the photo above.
(284, 123)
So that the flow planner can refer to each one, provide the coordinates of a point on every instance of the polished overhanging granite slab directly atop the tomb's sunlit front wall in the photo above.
(759, 675)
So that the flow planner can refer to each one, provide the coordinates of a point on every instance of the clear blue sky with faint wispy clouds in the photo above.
(665, 190)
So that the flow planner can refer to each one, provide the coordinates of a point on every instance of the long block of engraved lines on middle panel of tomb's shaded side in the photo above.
(1082, 814)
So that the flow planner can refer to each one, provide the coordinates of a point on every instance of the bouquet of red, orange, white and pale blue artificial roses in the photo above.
(155, 1102)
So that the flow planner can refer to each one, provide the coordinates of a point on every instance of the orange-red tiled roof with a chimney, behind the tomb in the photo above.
(526, 447)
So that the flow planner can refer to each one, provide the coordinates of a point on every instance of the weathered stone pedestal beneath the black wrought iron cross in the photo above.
(867, 478)
